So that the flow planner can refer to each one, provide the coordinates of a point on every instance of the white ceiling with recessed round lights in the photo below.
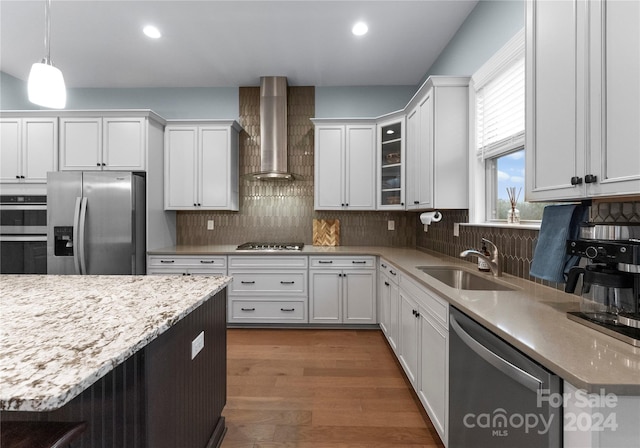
(230, 43)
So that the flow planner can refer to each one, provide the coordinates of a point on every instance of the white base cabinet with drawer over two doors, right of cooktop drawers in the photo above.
(342, 290)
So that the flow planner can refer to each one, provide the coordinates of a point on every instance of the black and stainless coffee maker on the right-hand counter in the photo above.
(610, 294)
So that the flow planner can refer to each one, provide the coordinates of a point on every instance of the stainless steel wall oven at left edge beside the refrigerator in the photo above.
(23, 234)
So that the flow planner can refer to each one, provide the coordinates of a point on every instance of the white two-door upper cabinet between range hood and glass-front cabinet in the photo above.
(345, 165)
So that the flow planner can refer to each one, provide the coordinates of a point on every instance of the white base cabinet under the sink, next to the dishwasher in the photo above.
(423, 349)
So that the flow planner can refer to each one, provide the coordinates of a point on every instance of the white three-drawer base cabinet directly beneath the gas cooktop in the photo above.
(268, 289)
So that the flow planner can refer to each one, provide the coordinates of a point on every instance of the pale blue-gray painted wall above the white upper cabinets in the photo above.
(487, 28)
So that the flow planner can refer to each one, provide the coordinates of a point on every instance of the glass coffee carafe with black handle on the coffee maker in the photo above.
(606, 291)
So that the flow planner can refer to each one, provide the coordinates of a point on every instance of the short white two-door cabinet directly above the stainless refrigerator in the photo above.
(103, 143)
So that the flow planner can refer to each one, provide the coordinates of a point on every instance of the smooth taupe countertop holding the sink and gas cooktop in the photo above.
(532, 317)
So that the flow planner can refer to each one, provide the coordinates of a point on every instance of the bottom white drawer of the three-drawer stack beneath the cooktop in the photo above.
(267, 311)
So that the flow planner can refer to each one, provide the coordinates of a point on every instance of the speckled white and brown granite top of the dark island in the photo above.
(59, 334)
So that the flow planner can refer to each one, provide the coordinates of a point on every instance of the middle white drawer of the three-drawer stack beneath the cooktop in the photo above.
(253, 283)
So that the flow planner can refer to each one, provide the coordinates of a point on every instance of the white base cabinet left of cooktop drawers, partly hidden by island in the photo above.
(186, 265)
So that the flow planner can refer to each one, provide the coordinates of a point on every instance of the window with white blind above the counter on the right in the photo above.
(499, 107)
